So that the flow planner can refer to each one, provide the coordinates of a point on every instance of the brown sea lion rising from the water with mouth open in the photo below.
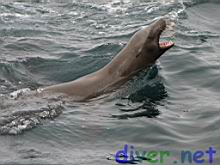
(141, 51)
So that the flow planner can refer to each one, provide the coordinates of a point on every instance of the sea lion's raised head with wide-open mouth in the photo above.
(144, 48)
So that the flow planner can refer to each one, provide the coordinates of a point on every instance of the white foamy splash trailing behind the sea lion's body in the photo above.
(27, 111)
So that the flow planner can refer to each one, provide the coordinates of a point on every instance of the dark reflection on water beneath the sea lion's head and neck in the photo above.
(143, 100)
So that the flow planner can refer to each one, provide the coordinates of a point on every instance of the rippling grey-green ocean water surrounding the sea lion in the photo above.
(172, 106)
